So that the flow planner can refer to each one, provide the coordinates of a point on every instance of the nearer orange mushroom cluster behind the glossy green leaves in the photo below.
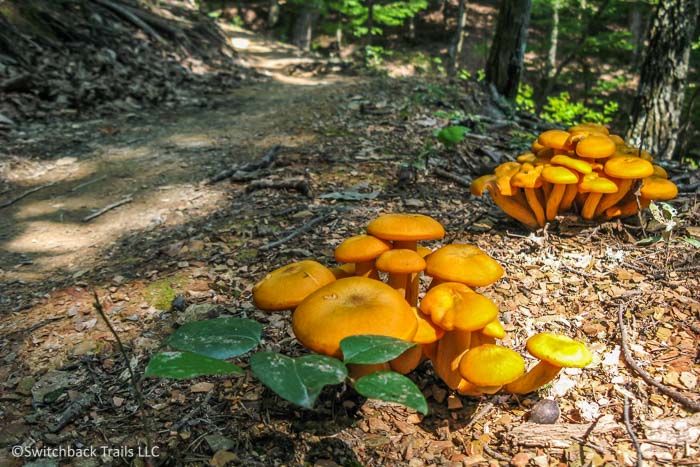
(454, 326)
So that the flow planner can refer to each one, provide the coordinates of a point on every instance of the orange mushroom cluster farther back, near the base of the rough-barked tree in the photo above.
(584, 170)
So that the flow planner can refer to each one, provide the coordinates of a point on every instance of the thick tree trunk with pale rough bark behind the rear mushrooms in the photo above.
(656, 110)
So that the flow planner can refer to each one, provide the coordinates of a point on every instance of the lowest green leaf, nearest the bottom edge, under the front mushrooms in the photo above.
(392, 387)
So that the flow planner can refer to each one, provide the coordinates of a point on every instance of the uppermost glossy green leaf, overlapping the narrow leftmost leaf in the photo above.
(217, 338)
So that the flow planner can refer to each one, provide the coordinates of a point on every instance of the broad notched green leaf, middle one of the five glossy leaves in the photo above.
(298, 380)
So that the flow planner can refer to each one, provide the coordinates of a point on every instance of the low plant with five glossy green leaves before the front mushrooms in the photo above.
(204, 346)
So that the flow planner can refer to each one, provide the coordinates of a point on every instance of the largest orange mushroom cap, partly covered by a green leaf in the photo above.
(348, 307)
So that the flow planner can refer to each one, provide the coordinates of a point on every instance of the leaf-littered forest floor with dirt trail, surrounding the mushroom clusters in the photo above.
(350, 145)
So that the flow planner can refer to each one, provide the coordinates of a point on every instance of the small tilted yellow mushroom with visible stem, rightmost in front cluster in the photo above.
(555, 352)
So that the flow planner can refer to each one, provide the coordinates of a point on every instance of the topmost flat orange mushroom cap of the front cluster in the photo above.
(406, 227)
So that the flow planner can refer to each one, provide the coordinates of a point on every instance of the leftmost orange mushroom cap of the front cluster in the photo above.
(286, 287)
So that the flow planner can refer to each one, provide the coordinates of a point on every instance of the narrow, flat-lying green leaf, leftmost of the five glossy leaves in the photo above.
(183, 365)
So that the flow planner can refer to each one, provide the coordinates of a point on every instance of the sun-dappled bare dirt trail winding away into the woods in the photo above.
(159, 159)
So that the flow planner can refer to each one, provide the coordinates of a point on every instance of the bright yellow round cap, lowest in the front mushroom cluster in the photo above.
(491, 365)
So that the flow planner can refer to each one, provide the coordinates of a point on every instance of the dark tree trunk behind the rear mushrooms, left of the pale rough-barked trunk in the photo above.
(504, 66)
